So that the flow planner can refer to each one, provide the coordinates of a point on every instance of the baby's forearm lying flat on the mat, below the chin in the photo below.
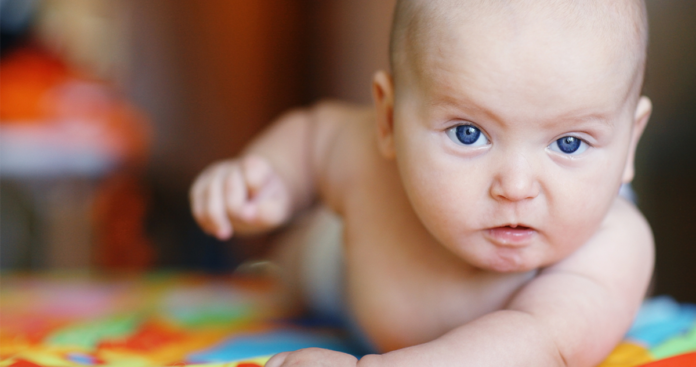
(503, 338)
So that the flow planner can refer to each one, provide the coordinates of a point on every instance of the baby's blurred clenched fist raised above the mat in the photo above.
(244, 195)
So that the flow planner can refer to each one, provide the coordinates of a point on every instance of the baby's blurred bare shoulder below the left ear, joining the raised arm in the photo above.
(342, 134)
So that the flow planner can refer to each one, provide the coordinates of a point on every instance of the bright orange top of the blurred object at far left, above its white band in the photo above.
(37, 88)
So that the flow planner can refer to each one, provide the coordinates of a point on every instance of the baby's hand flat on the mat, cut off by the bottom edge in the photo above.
(312, 357)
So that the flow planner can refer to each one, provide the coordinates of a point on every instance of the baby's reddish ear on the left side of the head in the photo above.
(383, 96)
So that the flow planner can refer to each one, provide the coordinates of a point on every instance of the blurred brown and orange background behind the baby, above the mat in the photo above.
(109, 109)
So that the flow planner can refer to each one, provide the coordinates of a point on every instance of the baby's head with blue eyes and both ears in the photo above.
(513, 123)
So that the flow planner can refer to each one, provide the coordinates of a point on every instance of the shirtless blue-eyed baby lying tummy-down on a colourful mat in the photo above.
(480, 216)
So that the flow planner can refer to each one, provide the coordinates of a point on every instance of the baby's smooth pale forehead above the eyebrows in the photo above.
(523, 63)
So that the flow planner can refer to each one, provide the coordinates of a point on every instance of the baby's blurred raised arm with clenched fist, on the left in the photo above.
(273, 178)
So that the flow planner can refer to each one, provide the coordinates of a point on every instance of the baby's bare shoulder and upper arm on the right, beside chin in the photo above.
(590, 298)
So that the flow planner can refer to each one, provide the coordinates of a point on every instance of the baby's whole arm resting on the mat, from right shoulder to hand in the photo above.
(571, 314)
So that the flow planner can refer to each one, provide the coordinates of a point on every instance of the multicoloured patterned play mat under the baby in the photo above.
(170, 319)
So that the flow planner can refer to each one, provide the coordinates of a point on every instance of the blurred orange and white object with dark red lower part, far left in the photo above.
(57, 122)
